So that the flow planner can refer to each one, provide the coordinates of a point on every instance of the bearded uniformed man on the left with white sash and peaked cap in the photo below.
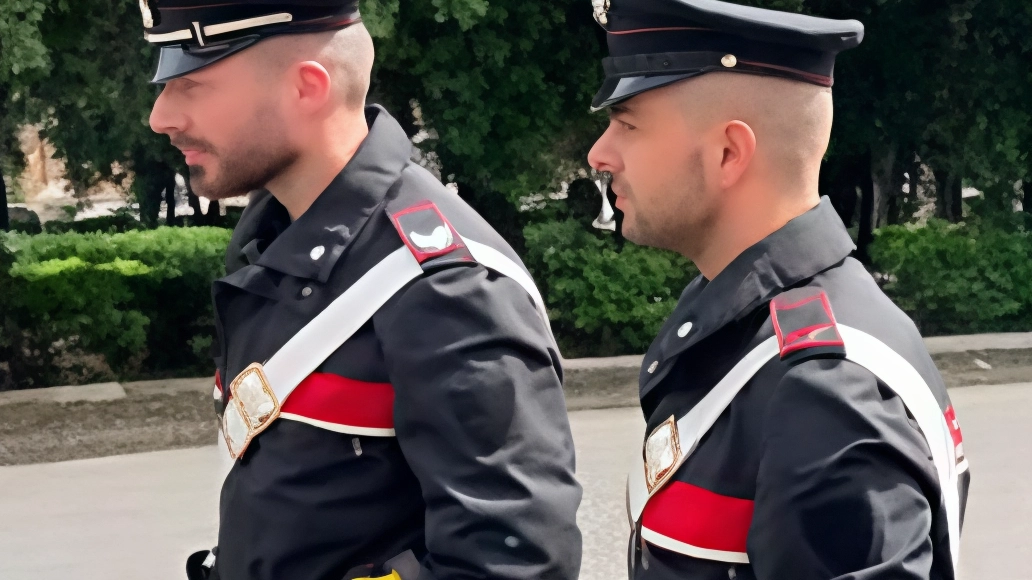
(388, 385)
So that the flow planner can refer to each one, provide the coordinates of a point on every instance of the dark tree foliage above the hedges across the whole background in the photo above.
(934, 100)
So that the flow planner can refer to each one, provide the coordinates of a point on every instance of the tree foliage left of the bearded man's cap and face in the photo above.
(85, 80)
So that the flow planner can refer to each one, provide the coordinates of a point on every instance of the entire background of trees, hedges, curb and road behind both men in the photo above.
(107, 256)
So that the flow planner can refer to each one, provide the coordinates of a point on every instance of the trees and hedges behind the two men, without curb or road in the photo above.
(106, 272)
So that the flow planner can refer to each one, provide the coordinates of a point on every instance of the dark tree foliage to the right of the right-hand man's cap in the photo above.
(936, 98)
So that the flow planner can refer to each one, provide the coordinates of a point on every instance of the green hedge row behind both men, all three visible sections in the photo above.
(78, 308)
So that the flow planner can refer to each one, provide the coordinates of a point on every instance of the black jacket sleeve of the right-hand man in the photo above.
(844, 484)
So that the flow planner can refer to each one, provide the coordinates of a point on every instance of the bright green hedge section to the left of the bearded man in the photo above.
(88, 307)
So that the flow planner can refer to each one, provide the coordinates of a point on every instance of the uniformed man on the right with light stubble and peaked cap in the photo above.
(797, 428)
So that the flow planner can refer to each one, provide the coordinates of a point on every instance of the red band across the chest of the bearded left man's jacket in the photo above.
(333, 399)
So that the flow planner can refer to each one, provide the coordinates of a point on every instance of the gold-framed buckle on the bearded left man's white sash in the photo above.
(252, 408)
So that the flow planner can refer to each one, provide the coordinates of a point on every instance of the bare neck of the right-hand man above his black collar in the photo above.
(743, 223)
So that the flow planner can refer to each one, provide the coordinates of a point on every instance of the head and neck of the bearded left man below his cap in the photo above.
(284, 111)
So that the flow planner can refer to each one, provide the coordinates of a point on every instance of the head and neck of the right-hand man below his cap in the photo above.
(713, 165)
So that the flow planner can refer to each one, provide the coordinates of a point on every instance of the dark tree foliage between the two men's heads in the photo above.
(505, 85)
